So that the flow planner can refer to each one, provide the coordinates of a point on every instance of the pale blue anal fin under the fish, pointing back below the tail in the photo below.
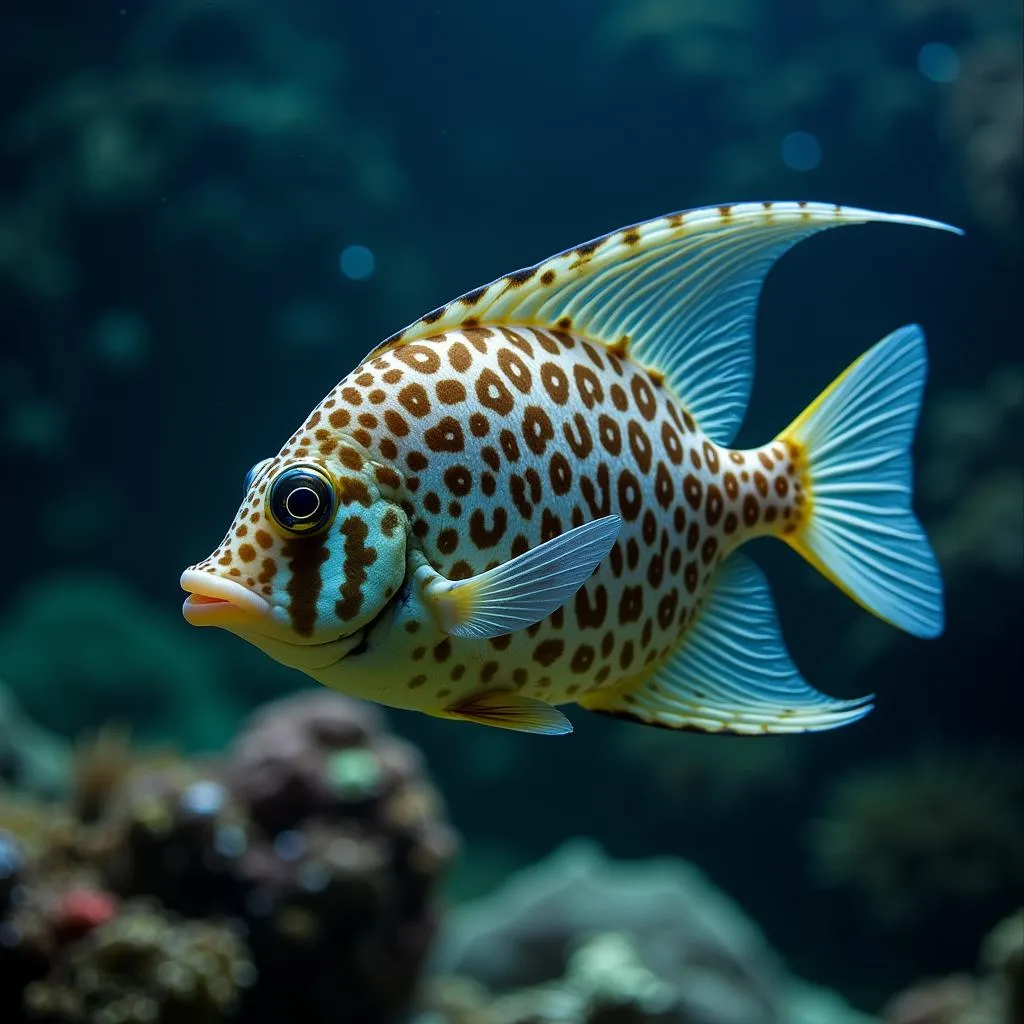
(733, 673)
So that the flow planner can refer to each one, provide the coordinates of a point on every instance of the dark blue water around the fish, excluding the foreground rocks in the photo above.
(179, 182)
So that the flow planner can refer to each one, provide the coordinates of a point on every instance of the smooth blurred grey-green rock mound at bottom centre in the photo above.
(584, 940)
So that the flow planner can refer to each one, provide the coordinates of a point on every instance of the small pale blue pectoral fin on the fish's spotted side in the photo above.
(527, 589)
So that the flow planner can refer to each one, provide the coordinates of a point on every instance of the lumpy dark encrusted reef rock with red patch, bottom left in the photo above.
(294, 877)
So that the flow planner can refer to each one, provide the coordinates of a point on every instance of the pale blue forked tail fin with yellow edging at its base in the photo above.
(861, 531)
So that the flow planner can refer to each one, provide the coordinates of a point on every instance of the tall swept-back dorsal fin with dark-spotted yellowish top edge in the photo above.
(679, 292)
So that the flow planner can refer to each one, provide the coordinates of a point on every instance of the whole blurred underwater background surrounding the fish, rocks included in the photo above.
(209, 211)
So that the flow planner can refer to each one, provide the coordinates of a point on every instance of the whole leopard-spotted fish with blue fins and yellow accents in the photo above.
(528, 498)
